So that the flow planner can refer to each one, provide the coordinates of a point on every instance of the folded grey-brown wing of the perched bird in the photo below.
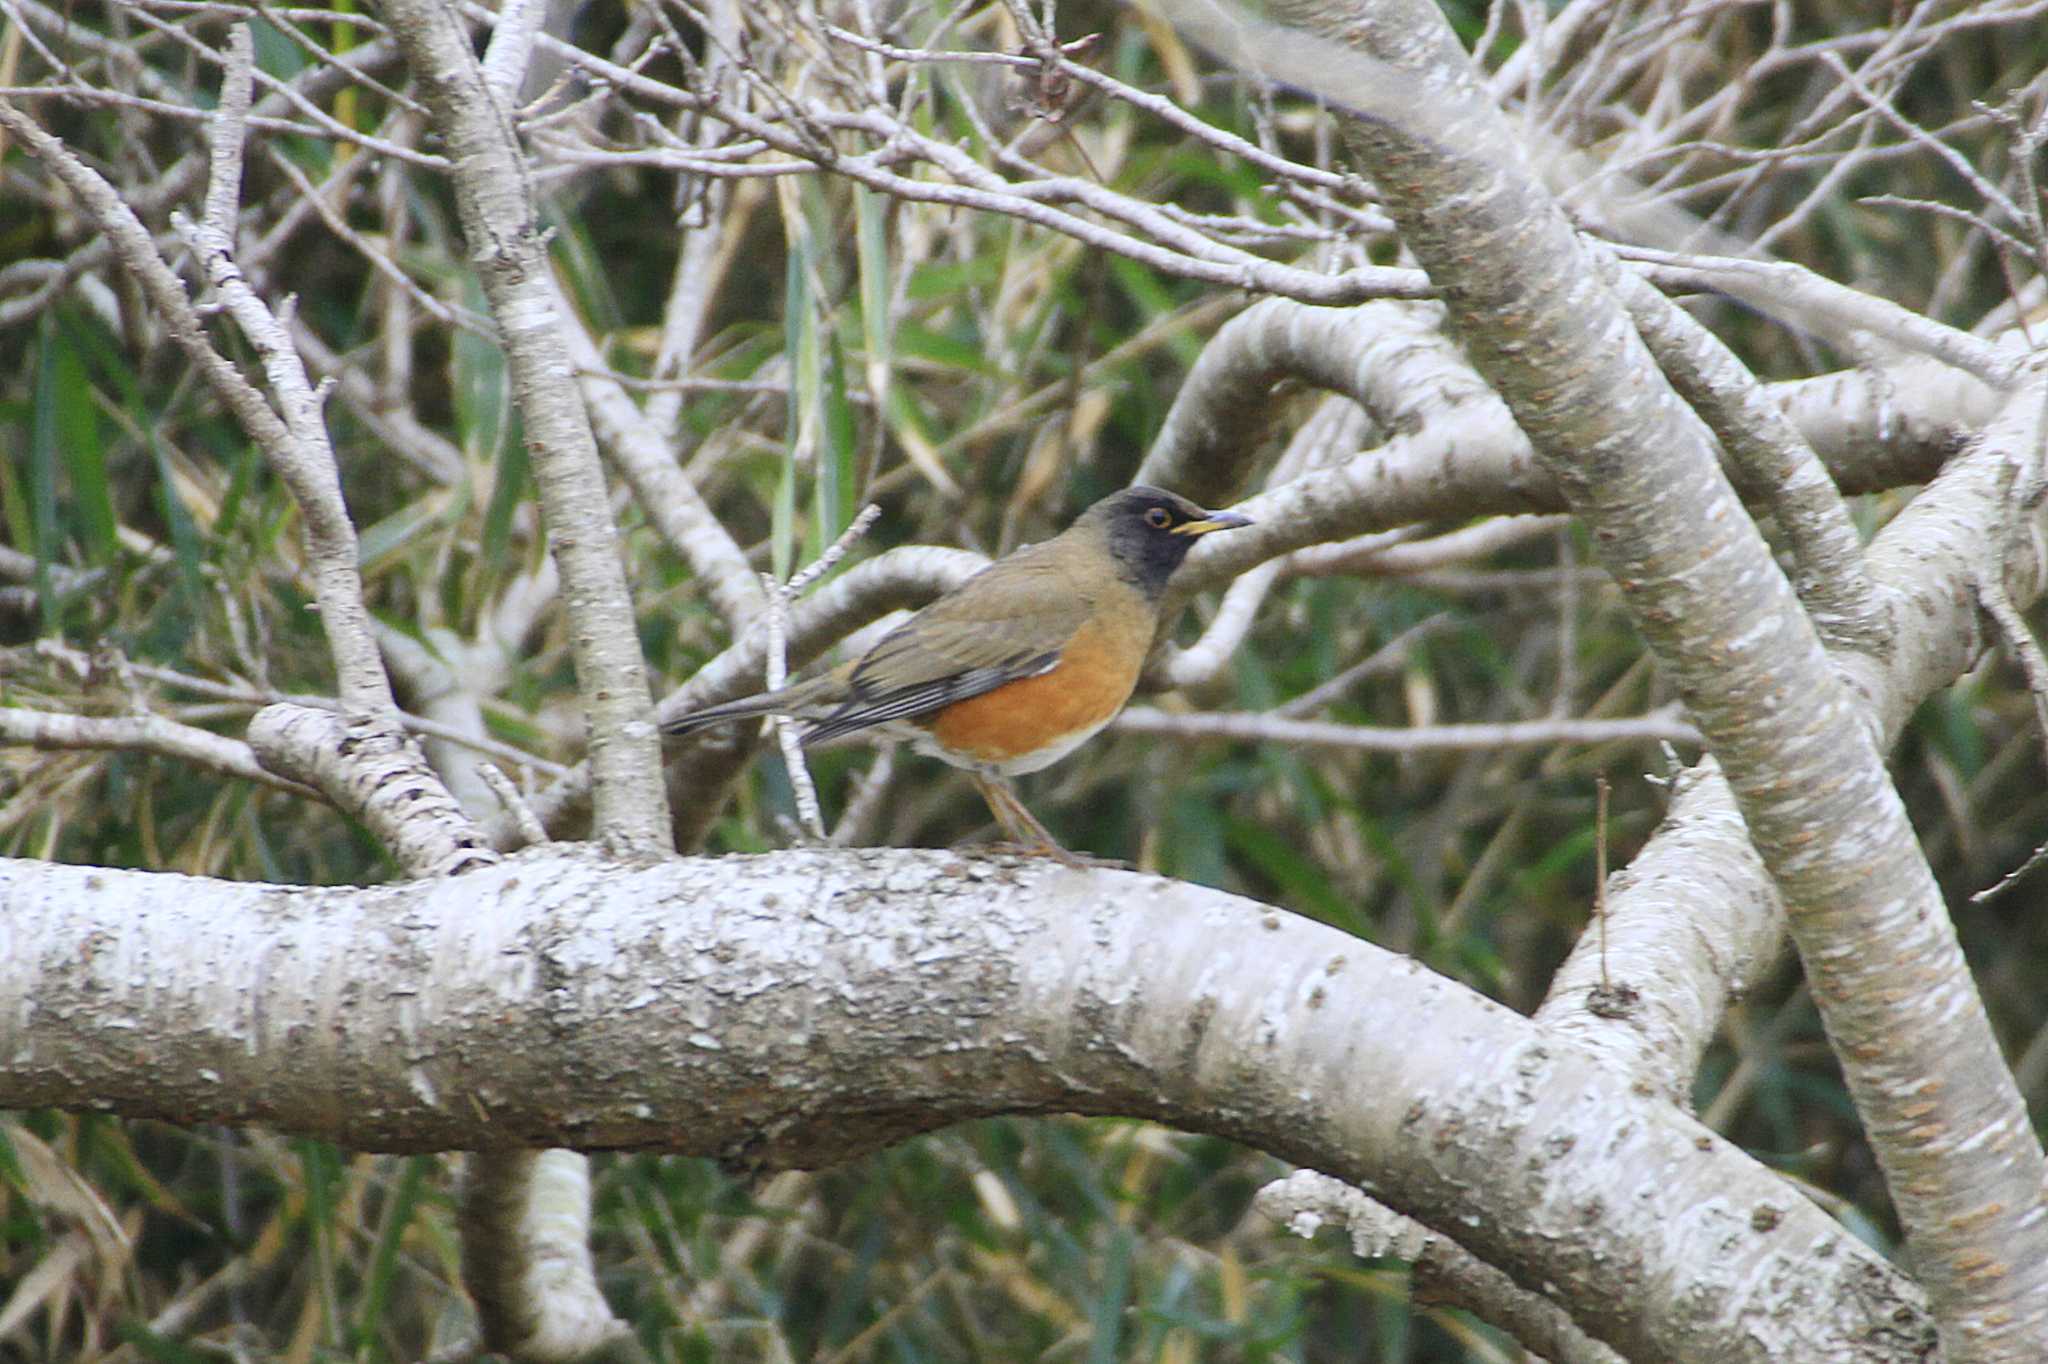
(1009, 622)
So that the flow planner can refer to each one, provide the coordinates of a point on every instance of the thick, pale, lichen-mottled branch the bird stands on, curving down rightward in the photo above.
(810, 1007)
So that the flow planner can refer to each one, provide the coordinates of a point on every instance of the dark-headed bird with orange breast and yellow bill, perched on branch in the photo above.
(1017, 667)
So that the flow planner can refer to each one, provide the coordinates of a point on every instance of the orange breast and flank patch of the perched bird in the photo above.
(1052, 712)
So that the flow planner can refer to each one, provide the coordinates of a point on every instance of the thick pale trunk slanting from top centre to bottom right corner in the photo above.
(1863, 904)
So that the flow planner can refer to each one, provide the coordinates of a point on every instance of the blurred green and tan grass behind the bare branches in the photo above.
(982, 382)
